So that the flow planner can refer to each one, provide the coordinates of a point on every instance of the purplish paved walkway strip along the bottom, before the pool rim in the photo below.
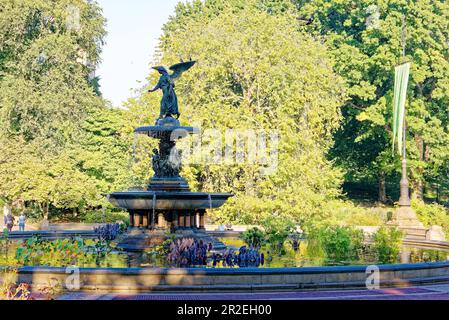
(433, 292)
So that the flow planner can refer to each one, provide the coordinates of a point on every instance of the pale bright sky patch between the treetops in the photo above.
(133, 27)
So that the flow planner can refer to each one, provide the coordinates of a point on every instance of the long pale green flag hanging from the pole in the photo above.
(400, 91)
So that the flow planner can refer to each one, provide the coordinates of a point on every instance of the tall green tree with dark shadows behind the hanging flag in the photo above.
(366, 40)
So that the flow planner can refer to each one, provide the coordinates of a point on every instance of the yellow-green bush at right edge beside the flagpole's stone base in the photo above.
(432, 214)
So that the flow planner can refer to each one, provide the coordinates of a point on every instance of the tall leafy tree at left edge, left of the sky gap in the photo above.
(60, 144)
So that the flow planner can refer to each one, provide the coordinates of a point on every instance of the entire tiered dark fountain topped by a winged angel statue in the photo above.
(168, 203)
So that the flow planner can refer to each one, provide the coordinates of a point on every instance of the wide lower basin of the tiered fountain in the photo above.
(144, 200)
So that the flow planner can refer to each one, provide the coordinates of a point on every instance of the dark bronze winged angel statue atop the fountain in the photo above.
(169, 102)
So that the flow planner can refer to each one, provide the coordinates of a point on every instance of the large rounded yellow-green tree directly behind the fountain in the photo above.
(255, 70)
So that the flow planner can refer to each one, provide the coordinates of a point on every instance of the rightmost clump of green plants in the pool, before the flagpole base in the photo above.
(387, 244)
